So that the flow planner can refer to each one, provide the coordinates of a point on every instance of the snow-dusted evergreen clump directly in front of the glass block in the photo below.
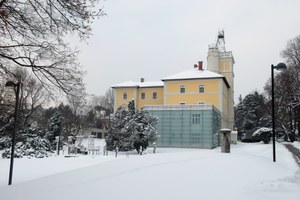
(131, 129)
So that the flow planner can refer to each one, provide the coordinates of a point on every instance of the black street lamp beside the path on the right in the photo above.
(280, 66)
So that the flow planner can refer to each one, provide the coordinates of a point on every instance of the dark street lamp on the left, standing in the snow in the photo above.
(16, 87)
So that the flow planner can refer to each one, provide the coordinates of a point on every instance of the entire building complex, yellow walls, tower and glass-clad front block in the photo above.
(192, 105)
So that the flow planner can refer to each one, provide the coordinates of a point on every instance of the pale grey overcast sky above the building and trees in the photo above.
(156, 38)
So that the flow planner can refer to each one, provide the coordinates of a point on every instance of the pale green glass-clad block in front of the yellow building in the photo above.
(187, 126)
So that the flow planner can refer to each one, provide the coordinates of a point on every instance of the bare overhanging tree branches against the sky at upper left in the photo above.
(33, 36)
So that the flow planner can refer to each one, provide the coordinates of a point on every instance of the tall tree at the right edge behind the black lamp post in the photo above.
(287, 91)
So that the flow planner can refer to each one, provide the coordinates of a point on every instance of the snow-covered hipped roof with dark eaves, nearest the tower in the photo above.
(195, 73)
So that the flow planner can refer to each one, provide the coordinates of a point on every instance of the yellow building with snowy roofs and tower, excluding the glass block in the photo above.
(197, 86)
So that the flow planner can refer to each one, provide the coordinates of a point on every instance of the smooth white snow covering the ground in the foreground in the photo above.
(246, 173)
